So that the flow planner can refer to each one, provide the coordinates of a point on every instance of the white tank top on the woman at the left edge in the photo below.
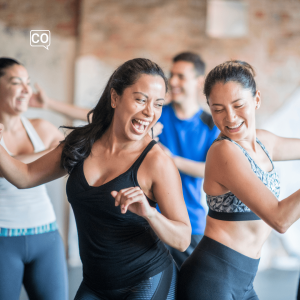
(25, 208)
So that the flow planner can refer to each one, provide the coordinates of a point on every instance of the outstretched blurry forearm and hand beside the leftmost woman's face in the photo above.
(41, 100)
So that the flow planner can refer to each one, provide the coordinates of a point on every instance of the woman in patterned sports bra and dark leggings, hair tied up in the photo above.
(242, 188)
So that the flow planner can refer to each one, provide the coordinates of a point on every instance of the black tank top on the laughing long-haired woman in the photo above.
(117, 250)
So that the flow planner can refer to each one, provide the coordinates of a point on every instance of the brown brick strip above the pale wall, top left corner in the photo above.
(58, 16)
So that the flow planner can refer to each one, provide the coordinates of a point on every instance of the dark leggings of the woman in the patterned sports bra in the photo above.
(216, 272)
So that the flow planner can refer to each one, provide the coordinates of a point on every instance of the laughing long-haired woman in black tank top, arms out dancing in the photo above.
(118, 175)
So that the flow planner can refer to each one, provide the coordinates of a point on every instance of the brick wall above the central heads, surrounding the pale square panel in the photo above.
(115, 31)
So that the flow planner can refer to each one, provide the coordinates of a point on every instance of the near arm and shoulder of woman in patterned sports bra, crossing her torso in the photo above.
(227, 167)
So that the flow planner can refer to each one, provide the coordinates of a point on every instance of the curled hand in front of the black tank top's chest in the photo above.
(134, 200)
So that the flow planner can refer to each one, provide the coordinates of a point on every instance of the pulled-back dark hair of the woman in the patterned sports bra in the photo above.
(234, 70)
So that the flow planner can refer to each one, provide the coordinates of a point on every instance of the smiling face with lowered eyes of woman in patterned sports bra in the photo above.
(233, 109)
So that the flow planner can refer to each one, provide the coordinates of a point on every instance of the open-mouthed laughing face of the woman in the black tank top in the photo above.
(139, 107)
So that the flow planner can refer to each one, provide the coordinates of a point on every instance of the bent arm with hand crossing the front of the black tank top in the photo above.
(172, 226)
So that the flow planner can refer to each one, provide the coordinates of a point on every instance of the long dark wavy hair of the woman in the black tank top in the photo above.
(78, 144)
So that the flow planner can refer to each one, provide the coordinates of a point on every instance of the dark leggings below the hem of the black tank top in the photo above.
(159, 287)
